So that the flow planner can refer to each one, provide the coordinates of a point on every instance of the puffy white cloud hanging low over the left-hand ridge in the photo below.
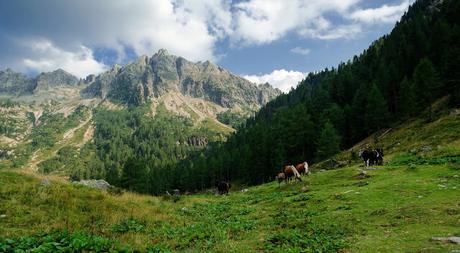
(49, 57)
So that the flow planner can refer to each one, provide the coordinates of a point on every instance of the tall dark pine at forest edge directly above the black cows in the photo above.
(376, 111)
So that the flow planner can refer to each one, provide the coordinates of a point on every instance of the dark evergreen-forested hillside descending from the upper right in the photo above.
(398, 77)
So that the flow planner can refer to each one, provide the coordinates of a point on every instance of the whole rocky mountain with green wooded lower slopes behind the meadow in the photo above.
(141, 118)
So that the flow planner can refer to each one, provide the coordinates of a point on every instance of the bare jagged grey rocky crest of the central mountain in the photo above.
(149, 78)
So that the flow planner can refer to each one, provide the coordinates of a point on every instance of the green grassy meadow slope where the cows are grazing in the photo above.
(398, 209)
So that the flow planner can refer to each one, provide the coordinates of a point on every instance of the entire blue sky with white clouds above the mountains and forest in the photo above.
(275, 41)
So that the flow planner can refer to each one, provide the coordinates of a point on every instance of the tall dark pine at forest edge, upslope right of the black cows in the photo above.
(426, 86)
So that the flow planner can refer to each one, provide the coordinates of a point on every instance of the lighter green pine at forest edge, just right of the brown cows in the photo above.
(329, 142)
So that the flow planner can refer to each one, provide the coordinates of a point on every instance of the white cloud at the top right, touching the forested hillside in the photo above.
(383, 14)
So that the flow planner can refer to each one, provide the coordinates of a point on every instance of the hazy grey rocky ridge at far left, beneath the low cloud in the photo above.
(19, 84)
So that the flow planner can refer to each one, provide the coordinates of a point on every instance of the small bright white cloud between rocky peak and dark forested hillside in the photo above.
(281, 79)
